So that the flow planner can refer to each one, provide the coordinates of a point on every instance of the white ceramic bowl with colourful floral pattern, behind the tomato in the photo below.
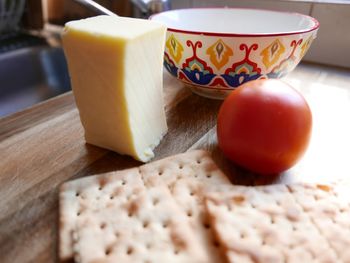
(214, 50)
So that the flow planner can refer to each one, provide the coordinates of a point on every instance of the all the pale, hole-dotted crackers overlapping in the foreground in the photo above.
(184, 209)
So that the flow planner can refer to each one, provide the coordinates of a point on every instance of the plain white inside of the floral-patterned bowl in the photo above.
(236, 21)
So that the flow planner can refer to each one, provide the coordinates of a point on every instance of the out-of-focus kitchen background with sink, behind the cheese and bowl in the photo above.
(32, 63)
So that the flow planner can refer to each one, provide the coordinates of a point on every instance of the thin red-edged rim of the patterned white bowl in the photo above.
(206, 33)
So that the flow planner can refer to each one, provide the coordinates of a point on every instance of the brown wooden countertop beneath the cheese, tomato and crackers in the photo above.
(43, 146)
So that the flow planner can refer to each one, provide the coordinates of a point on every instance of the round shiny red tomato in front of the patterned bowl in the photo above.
(264, 126)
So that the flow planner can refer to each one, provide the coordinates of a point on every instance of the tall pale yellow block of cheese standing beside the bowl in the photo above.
(115, 65)
